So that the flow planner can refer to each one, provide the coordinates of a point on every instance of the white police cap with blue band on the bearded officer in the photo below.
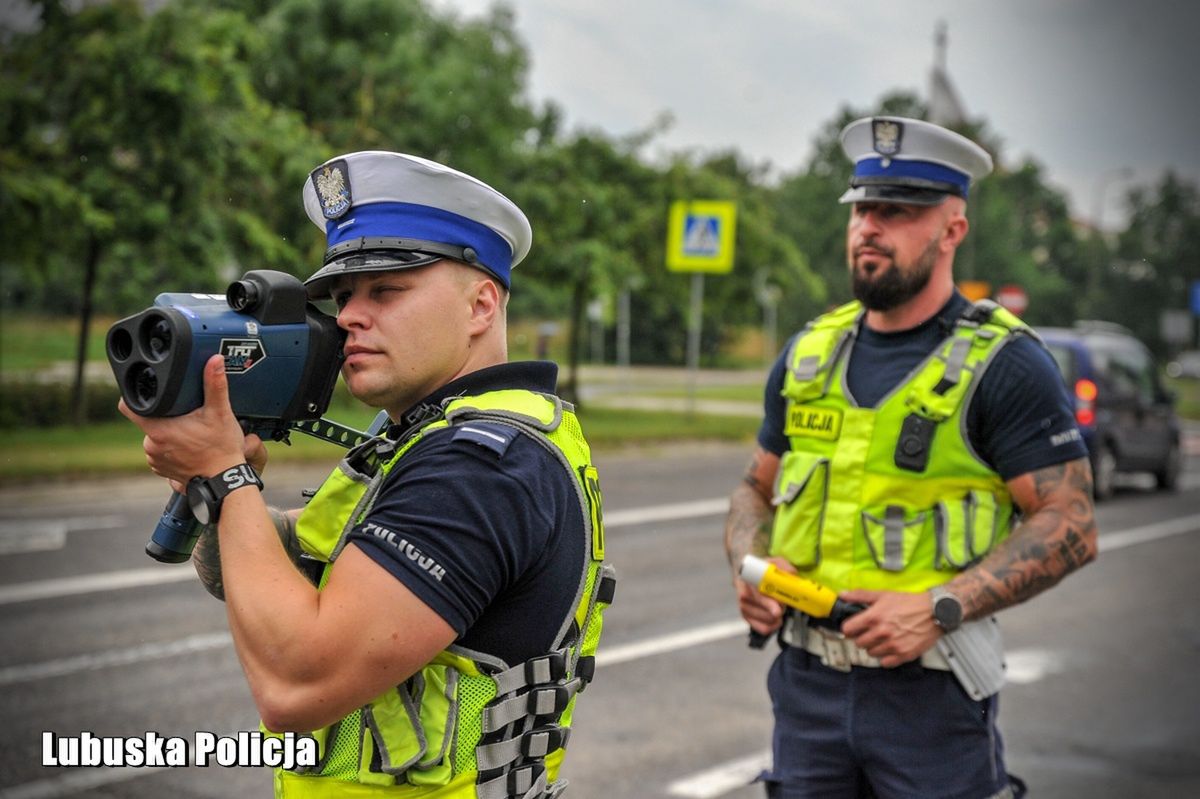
(910, 161)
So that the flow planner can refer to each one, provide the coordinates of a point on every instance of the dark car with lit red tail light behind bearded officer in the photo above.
(1126, 416)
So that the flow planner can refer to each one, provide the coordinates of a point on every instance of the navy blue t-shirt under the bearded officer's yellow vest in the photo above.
(1019, 418)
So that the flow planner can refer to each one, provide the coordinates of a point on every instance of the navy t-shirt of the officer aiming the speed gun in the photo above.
(483, 525)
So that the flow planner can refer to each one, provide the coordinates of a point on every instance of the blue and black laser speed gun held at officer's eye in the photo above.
(283, 357)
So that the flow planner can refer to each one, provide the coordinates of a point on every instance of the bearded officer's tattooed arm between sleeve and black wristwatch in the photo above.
(1054, 542)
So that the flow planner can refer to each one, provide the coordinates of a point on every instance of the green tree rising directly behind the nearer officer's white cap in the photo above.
(394, 75)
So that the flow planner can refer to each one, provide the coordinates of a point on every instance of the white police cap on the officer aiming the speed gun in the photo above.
(388, 211)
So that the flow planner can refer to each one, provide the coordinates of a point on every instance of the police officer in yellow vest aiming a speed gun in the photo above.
(429, 618)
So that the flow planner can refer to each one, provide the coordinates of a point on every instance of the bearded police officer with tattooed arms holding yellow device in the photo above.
(919, 456)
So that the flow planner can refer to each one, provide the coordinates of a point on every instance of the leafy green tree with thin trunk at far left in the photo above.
(136, 157)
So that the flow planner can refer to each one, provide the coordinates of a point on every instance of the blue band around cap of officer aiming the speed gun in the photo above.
(412, 221)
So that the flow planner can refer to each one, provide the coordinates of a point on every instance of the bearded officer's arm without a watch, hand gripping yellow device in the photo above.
(748, 532)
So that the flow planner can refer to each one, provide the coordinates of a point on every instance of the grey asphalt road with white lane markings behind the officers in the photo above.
(1103, 698)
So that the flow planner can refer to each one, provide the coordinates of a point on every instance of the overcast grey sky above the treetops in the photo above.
(1105, 94)
